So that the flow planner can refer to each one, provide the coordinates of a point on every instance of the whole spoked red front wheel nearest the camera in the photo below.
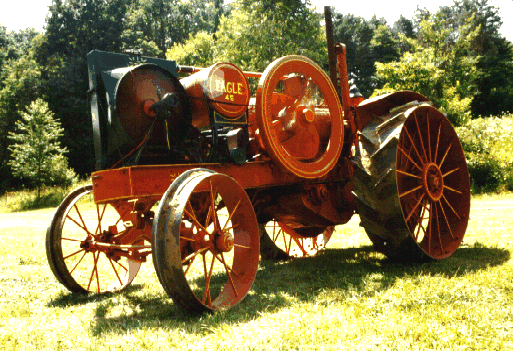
(206, 262)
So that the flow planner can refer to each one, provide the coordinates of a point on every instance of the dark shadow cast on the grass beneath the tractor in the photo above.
(279, 284)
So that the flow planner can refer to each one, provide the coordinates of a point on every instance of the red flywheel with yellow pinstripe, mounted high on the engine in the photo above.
(300, 118)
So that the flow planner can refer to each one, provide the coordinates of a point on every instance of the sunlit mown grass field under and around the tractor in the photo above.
(348, 297)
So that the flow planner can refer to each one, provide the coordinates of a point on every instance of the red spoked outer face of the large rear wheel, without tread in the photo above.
(432, 181)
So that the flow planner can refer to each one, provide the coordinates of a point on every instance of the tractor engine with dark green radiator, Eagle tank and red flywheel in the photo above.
(294, 123)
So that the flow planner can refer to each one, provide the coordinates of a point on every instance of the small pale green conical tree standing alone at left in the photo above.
(36, 152)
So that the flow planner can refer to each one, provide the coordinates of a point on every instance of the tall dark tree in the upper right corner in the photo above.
(478, 22)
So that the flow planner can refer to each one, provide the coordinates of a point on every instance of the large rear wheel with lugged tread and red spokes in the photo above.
(411, 184)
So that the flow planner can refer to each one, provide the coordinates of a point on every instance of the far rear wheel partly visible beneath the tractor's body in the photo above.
(292, 243)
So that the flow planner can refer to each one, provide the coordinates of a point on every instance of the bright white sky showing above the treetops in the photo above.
(21, 14)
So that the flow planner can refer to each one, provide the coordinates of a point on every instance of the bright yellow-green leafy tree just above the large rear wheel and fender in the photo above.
(439, 67)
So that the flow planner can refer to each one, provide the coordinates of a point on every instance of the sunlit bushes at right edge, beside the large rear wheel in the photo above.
(488, 146)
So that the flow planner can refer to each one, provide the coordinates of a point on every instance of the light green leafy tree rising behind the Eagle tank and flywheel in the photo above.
(255, 34)
